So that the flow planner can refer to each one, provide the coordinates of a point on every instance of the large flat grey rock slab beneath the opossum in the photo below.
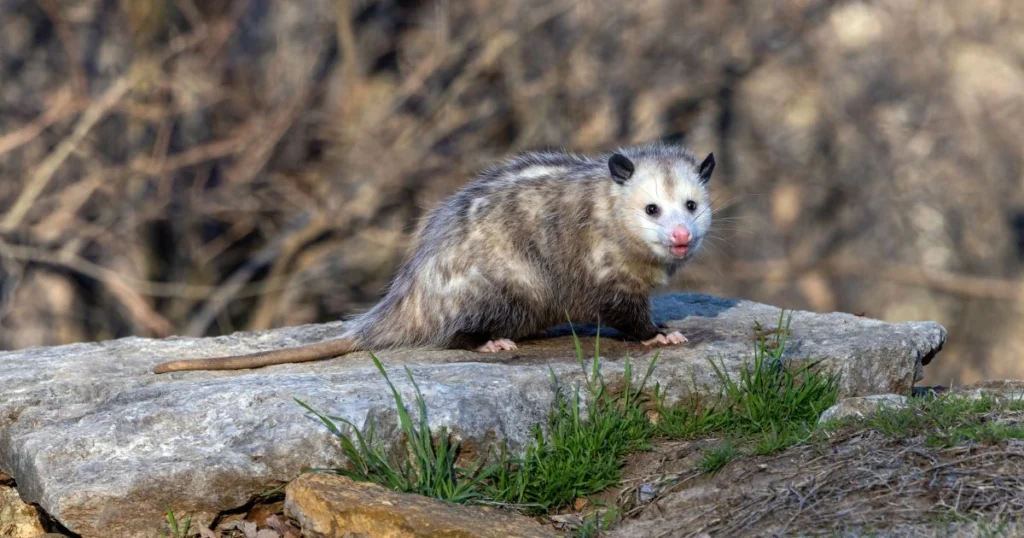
(105, 446)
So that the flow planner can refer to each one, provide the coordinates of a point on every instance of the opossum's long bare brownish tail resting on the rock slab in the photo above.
(303, 354)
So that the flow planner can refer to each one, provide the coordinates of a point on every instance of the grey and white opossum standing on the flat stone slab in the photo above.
(531, 241)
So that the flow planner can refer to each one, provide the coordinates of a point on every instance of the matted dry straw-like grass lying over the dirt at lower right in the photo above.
(872, 483)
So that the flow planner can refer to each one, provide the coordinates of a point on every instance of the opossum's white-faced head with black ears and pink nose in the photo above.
(665, 201)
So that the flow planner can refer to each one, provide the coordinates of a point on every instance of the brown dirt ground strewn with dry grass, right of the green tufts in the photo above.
(855, 483)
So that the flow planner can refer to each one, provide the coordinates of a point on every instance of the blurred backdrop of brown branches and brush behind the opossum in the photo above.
(198, 168)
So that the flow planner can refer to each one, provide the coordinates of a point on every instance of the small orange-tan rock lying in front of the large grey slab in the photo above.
(331, 507)
